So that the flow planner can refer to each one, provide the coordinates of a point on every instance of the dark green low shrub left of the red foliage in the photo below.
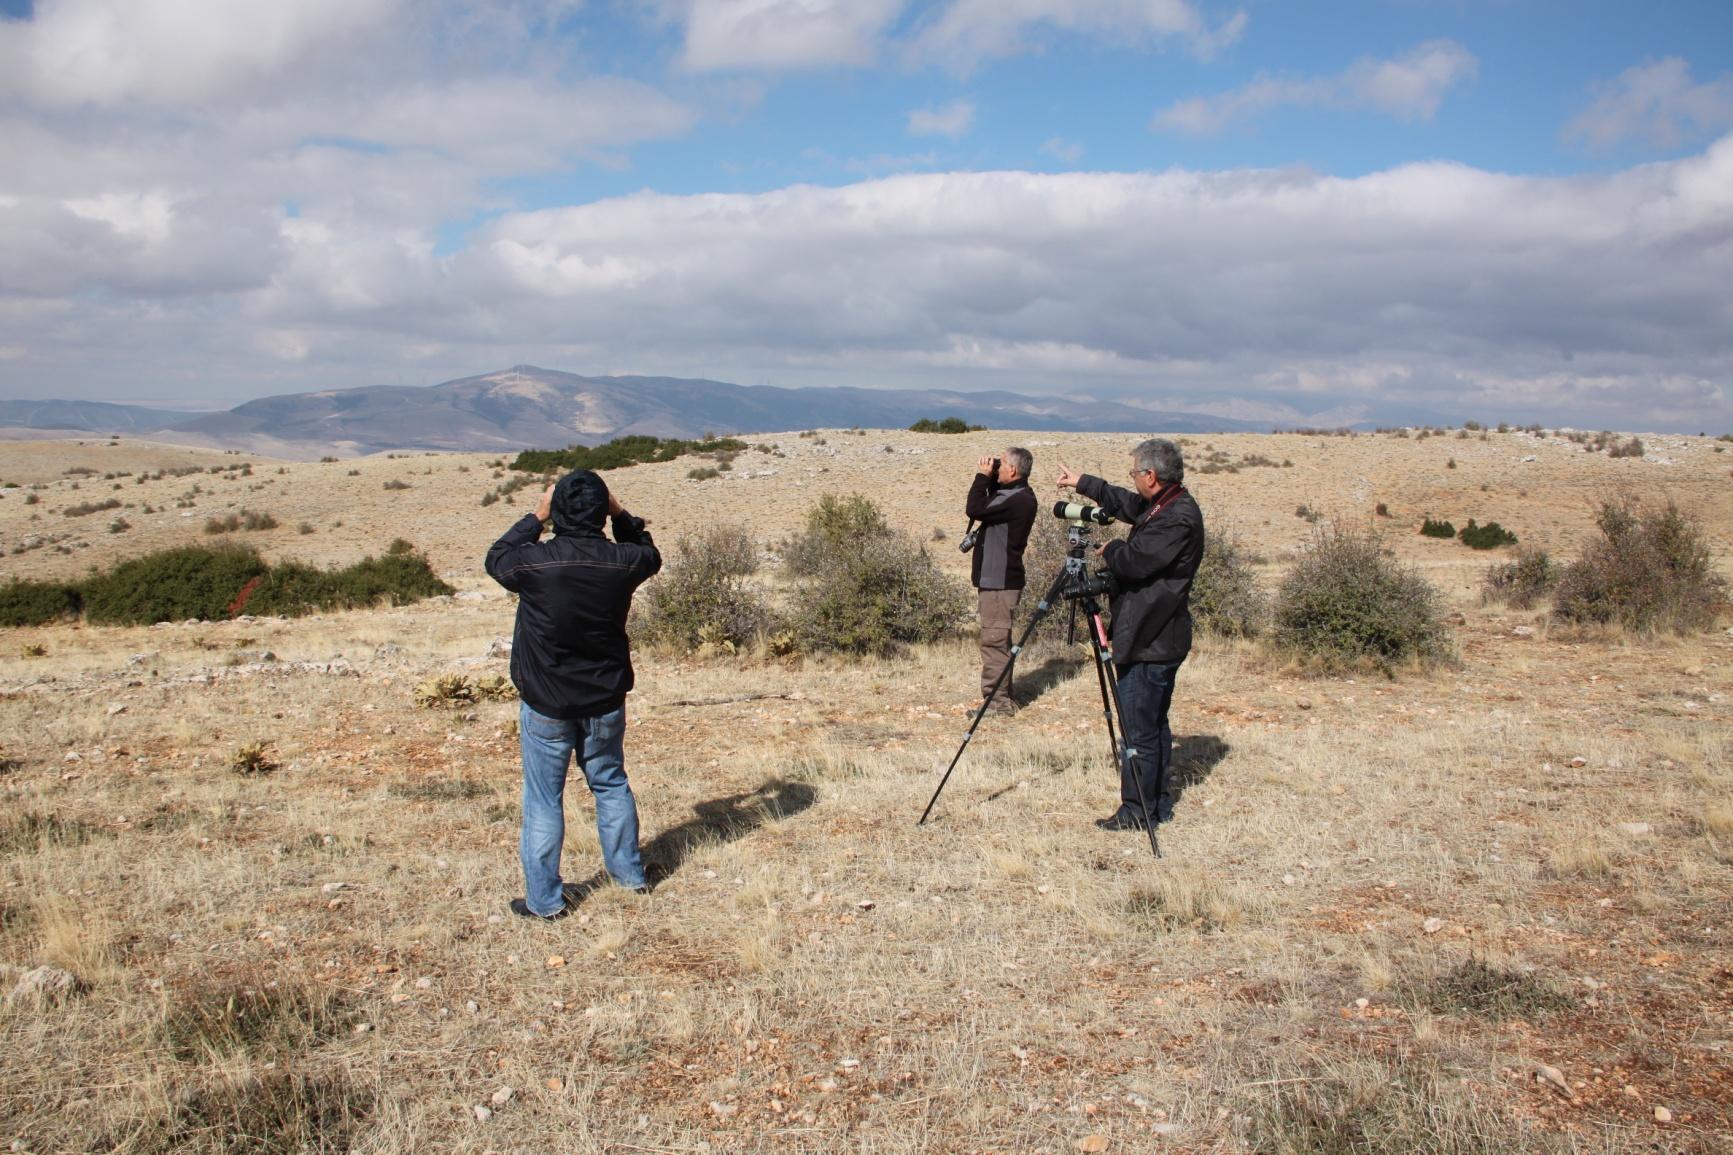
(172, 585)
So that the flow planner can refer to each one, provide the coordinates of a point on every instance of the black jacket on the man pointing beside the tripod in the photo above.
(1155, 568)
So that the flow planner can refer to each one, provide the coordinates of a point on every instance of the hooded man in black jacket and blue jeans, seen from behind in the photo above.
(573, 667)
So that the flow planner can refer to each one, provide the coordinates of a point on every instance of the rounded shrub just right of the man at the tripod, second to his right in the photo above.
(1346, 604)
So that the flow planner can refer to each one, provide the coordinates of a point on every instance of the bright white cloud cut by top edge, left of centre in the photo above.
(782, 34)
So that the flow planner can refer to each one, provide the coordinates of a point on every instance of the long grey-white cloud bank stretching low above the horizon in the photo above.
(1429, 289)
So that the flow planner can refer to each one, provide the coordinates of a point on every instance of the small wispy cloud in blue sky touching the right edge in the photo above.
(1658, 105)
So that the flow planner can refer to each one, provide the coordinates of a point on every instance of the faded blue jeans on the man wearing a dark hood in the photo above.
(600, 747)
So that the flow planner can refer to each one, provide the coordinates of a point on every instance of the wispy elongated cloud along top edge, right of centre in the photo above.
(970, 32)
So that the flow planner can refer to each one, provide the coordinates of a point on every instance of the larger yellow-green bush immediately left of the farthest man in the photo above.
(866, 589)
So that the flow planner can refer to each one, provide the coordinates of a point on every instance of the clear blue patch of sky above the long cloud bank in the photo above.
(1538, 69)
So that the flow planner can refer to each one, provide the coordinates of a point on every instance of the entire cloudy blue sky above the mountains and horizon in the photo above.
(1356, 211)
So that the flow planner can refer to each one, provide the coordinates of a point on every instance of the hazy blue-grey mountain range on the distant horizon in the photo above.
(528, 407)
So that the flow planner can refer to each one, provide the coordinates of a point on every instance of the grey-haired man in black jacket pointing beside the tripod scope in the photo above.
(1152, 617)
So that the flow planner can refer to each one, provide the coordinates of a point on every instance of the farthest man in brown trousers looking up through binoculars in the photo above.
(1006, 509)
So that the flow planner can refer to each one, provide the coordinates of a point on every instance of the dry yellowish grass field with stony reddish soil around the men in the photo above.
(1481, 910)
